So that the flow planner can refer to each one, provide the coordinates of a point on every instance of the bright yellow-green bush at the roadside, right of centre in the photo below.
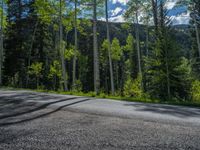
(132, 88)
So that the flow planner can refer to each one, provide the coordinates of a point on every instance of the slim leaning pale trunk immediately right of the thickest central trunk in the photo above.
(109, 50)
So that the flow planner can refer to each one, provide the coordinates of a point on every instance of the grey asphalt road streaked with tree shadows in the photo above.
(30, 120)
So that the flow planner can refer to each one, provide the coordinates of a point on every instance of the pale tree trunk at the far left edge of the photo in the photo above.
(1, 42)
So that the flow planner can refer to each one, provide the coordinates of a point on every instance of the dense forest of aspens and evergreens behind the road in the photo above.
(65, 45)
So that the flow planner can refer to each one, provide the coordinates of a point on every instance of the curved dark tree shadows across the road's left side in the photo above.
(13, 107)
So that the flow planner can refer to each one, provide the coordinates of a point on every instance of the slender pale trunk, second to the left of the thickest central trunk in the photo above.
(61, 47)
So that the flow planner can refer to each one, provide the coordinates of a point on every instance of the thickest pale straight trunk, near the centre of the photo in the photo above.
(95, 48)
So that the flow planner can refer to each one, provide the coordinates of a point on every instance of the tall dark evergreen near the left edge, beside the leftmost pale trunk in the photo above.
(17, 33)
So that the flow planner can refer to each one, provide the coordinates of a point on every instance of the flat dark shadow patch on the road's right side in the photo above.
(177, 111)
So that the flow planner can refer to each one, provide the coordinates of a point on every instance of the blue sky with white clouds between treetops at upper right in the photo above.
(179, 15)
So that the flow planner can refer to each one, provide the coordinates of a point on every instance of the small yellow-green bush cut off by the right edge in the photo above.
(195, 91)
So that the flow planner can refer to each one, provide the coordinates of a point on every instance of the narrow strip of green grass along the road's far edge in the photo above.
(119, 98)
